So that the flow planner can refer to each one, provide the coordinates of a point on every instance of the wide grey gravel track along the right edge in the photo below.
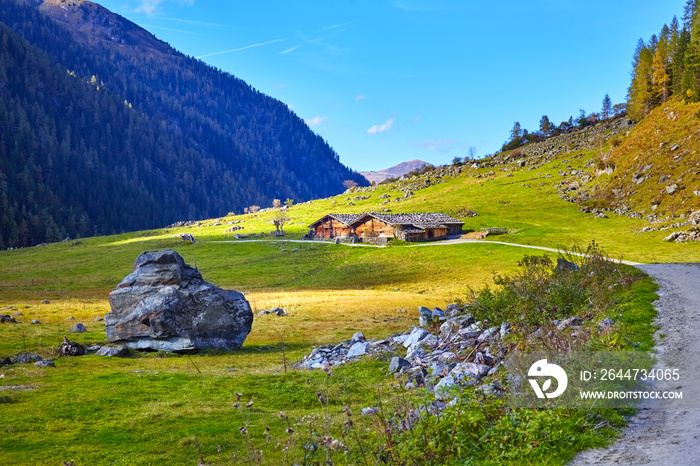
(658, 436)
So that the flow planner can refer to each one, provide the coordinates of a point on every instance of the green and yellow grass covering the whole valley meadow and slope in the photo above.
(162, 409)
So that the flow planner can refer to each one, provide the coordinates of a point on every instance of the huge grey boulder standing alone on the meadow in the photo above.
(165, 304)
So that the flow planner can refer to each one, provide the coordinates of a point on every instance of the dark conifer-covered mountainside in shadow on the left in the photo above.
(104, 128)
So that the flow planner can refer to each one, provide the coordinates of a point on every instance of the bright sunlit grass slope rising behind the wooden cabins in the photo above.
(526, 202)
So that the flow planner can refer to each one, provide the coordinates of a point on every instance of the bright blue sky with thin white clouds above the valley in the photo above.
(386, 81)
